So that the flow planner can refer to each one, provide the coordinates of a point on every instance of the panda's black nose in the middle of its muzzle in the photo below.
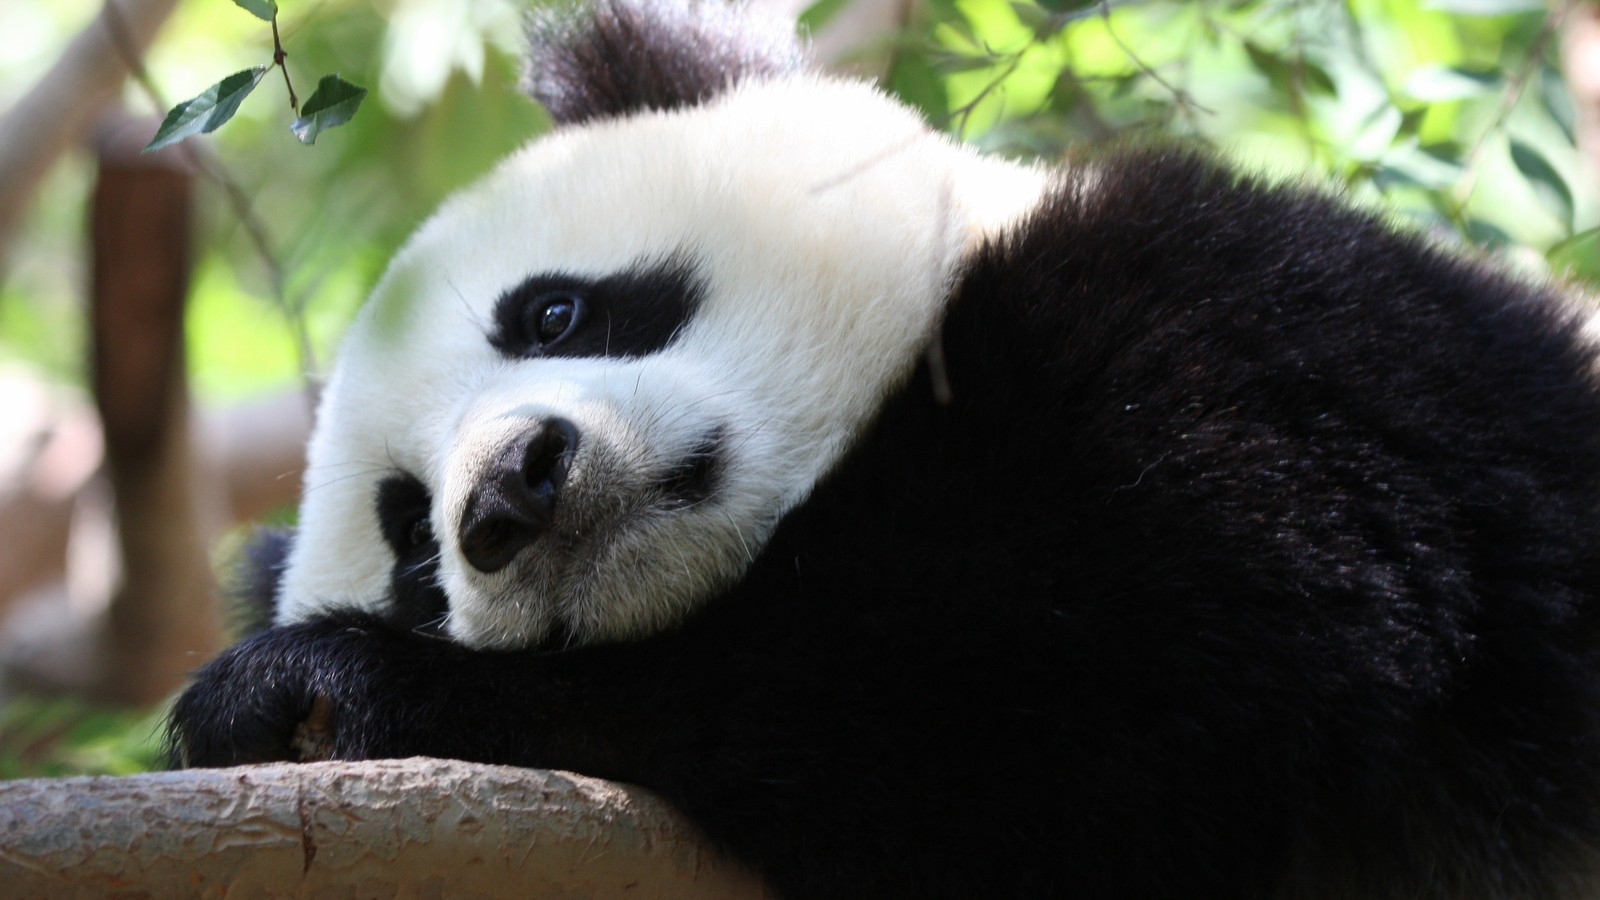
(514, 502)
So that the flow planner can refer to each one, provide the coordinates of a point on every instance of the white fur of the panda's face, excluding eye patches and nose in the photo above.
(825, 223)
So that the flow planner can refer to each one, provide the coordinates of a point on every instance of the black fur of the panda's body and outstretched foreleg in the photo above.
(1254, 558)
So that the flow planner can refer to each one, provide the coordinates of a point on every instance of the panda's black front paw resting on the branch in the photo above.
(294, 694)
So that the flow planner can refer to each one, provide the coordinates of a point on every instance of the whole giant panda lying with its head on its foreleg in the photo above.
(934, 526)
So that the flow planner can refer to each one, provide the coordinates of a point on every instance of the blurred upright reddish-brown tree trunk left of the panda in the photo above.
(164, 616)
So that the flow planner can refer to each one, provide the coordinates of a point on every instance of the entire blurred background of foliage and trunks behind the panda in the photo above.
(166, 319)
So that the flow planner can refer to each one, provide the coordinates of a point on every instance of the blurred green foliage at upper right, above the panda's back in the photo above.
(1450, 111)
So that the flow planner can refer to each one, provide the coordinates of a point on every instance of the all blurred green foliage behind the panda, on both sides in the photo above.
(1452, 113)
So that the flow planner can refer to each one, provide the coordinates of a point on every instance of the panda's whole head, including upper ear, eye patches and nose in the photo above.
(588, 390)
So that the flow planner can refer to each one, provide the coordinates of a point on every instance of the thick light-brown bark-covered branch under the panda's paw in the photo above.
(388, 829)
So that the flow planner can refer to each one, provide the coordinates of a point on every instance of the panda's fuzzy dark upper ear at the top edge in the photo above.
(610, 58)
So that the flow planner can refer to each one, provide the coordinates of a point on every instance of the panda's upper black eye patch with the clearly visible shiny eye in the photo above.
(628, 315)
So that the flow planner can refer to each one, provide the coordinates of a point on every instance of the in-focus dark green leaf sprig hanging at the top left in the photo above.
(332, 105)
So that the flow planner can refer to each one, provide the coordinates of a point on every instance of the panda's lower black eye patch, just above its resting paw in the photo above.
(402, 508)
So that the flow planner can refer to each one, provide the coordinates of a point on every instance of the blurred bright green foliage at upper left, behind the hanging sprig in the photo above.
(447, 108)
